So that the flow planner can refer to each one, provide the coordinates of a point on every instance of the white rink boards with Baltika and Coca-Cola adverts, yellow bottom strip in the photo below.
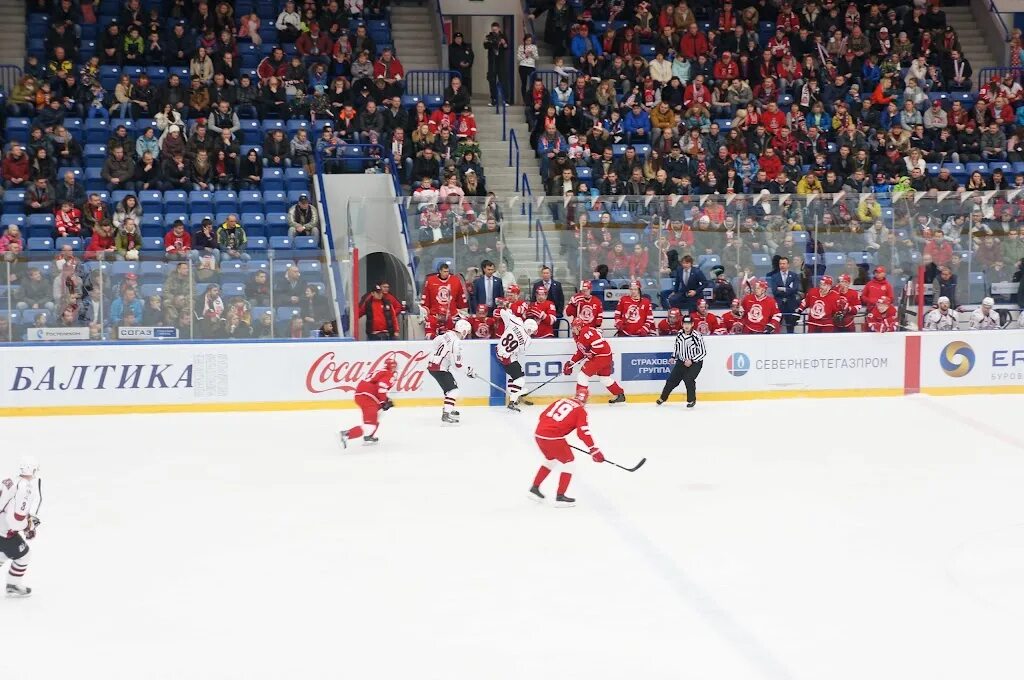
(165, 377)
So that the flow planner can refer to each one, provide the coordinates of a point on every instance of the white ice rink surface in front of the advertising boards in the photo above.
(810, 540)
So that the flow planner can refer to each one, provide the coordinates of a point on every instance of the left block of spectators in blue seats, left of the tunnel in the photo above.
(147, 140)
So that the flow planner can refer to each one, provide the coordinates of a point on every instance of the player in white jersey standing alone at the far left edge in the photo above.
(20, 500)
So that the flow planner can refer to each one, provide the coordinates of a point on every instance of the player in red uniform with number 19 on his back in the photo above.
(563, 418)
